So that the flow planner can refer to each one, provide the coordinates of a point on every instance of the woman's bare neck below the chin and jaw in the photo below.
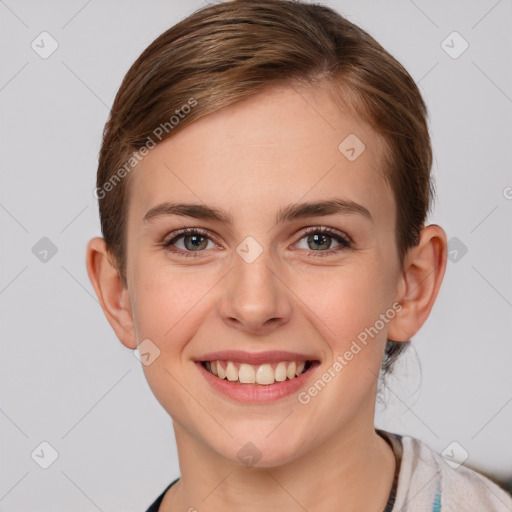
(355, 468)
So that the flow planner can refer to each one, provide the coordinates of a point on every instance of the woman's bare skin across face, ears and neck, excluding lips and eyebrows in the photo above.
(251, 159)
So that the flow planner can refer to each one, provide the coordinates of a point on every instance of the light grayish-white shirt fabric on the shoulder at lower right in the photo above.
(428, 483)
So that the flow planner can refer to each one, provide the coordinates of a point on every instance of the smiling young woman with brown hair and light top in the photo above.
(263, 185)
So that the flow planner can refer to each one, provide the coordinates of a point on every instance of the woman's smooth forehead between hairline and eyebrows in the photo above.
(280, 146)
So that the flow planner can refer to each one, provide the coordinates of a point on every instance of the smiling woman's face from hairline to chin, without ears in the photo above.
(267, 280)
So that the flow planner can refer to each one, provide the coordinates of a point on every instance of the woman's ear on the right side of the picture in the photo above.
(419, 283)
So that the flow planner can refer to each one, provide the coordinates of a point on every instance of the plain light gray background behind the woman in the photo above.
(67, 380)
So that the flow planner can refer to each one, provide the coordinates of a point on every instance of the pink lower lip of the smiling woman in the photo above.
(257, 393)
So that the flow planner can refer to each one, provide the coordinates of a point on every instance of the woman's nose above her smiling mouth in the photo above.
(254, 297)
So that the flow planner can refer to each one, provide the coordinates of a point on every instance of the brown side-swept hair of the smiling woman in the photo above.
(226, 52)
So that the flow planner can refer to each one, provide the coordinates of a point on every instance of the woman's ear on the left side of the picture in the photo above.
(111, 292)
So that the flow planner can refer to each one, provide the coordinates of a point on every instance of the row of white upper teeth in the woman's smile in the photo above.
(264, 374)
